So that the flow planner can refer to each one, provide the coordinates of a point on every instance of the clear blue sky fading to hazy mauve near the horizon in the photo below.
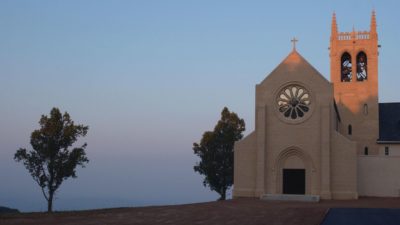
(148, 78)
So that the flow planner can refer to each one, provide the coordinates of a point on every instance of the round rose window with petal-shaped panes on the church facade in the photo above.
(293, 102)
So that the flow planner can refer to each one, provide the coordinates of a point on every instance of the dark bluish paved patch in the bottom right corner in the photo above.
(362, 216)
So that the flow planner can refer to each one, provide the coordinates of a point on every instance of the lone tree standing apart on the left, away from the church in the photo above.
(52, 160)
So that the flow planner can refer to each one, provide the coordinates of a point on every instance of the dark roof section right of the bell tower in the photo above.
(389, 122)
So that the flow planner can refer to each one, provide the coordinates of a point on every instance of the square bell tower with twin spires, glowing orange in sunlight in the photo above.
(354, 74)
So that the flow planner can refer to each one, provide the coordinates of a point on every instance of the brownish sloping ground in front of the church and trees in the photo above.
(239, 211)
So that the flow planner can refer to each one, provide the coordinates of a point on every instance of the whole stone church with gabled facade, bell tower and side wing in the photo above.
(322, 139)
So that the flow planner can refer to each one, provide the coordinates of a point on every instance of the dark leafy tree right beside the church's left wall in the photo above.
(216, 152)
